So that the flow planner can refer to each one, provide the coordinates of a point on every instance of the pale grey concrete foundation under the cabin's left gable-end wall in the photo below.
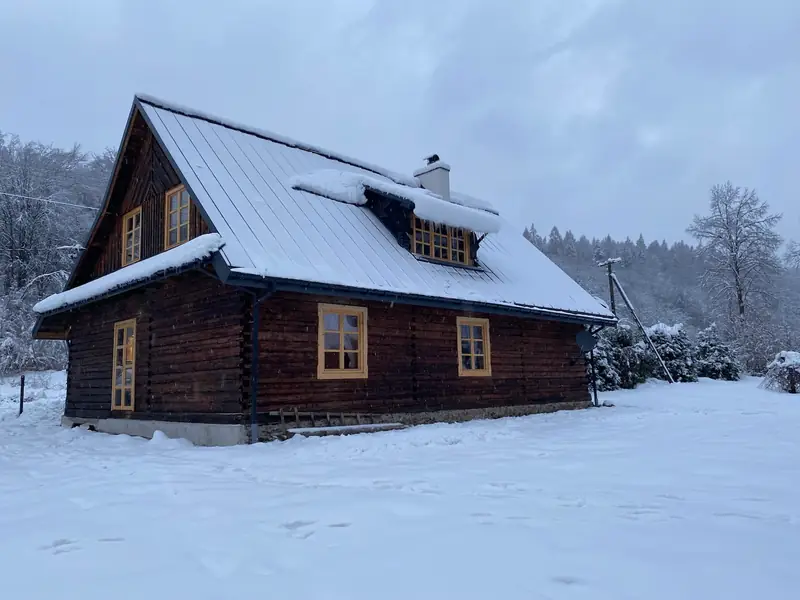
(200, 434)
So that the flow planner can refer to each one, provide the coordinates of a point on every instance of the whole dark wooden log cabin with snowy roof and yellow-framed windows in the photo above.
(237, 285)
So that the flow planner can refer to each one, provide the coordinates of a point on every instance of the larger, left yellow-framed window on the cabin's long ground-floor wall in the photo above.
(342, 342)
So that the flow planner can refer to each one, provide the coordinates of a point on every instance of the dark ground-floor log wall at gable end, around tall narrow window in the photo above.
(189, 352)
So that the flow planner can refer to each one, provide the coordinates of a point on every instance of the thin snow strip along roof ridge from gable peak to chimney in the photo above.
(280, 139)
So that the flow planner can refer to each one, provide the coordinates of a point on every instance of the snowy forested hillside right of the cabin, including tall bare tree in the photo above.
(740, 275)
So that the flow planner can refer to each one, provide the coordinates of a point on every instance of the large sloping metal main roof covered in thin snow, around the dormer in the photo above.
(244, 179)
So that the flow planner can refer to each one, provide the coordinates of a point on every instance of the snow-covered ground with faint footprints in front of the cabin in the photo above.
(680, 492)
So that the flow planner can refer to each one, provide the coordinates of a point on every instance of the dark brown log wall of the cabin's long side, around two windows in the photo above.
(413, 361)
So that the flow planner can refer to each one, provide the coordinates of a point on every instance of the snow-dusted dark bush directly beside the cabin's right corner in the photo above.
(619, 359)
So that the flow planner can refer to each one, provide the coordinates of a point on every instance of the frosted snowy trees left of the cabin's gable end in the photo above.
(48, 201)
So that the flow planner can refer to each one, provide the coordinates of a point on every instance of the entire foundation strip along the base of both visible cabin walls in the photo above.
(206, 434)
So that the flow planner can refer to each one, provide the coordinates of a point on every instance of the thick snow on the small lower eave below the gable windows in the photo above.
(195, 250)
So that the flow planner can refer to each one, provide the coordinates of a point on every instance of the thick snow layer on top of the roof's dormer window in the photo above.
(349, 187)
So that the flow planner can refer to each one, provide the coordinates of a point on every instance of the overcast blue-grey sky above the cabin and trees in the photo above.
(603, 116)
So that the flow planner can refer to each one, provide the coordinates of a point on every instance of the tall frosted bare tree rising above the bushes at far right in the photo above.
(740, 246)
